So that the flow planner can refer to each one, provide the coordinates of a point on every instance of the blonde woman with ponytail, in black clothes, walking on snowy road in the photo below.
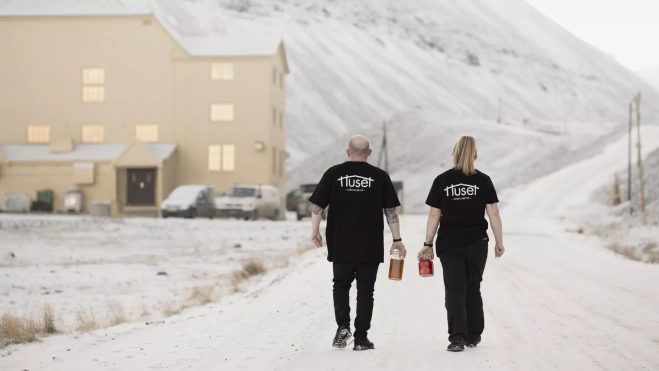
(458, 201)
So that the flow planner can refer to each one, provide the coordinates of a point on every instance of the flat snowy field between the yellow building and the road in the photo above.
(109, 262)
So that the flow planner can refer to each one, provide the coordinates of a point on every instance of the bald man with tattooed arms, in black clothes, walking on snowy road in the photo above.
(356, 193)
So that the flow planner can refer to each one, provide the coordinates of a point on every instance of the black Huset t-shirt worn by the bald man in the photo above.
(356, 193)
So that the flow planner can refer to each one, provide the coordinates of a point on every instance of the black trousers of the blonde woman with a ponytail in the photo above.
(463, 273)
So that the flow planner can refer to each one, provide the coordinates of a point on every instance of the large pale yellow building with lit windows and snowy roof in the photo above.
(124, 103)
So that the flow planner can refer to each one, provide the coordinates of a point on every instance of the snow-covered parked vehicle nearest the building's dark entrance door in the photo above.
(189, 201)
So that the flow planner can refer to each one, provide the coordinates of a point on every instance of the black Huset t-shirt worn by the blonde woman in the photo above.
(462, 200)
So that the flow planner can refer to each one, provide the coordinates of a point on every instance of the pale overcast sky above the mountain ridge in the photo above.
(628, 29)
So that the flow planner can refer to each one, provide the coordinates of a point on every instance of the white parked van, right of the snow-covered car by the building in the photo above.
(250, 201)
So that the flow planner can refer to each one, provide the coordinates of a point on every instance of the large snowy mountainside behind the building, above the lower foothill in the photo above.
(355, 63)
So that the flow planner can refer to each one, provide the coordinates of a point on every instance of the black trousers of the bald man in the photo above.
(344, 274)
